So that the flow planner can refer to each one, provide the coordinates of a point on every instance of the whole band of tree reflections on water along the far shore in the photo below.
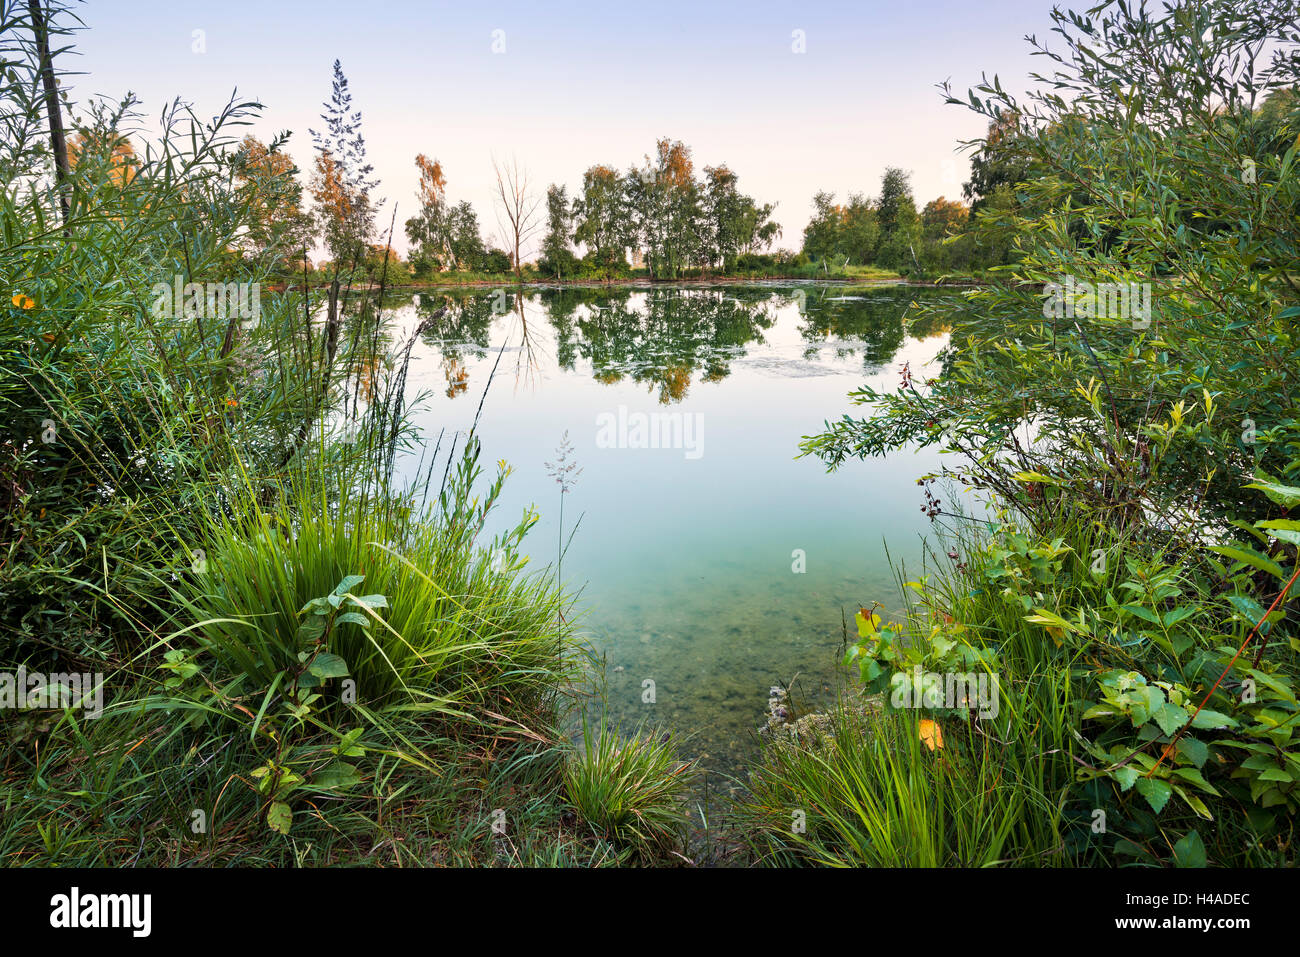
(665, 337)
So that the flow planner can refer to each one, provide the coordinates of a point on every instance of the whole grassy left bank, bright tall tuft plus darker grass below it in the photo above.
(456, 716)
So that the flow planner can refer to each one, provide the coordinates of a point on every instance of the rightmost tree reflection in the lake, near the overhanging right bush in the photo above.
(870, 321)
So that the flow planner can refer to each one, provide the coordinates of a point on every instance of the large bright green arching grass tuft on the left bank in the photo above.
(463, 631)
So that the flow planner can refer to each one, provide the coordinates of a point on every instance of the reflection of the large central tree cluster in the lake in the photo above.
(662, 339)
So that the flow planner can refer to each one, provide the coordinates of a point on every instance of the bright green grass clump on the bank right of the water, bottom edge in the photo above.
(874, 794)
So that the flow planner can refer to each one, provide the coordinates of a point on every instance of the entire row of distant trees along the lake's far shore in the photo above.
(657, 216)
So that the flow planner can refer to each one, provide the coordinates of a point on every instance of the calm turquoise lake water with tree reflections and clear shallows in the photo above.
(722, 566)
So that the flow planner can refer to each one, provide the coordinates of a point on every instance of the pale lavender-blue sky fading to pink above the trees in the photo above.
(588, 83)
